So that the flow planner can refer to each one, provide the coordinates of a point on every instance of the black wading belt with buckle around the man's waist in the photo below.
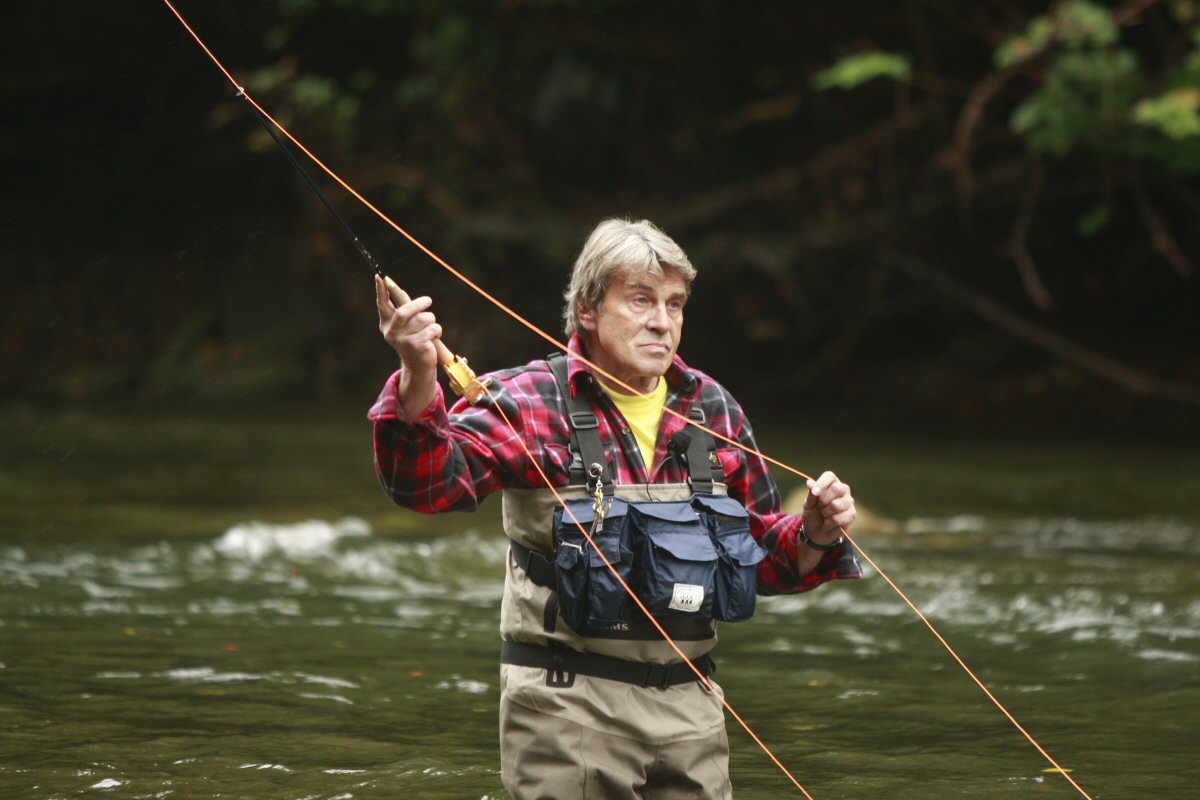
(562, 665)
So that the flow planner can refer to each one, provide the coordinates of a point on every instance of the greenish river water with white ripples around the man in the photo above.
(208, 606)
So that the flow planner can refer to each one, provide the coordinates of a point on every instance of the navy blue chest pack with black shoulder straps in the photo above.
(692, 558)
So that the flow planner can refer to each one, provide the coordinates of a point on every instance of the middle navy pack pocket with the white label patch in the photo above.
(679, 560)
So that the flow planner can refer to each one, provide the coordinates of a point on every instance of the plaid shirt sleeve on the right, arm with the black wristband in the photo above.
(751, 483)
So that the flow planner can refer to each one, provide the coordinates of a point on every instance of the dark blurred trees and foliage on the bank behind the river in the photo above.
(899, 208)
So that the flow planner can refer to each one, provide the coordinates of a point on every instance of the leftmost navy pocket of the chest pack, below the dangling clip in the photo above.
(587, 590)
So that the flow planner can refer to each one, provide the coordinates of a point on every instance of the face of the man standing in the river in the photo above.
(634, 334)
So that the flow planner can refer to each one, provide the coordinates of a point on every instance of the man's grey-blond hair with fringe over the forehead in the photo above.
(620, 248)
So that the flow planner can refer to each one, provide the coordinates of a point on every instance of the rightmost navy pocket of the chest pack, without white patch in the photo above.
(739, 555)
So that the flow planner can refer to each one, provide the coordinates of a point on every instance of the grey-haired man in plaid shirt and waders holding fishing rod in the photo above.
(595, 701)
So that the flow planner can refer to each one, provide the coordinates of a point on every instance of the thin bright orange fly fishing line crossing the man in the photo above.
(561, 346)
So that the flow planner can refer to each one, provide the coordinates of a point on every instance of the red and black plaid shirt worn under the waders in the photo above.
(451, 462)
